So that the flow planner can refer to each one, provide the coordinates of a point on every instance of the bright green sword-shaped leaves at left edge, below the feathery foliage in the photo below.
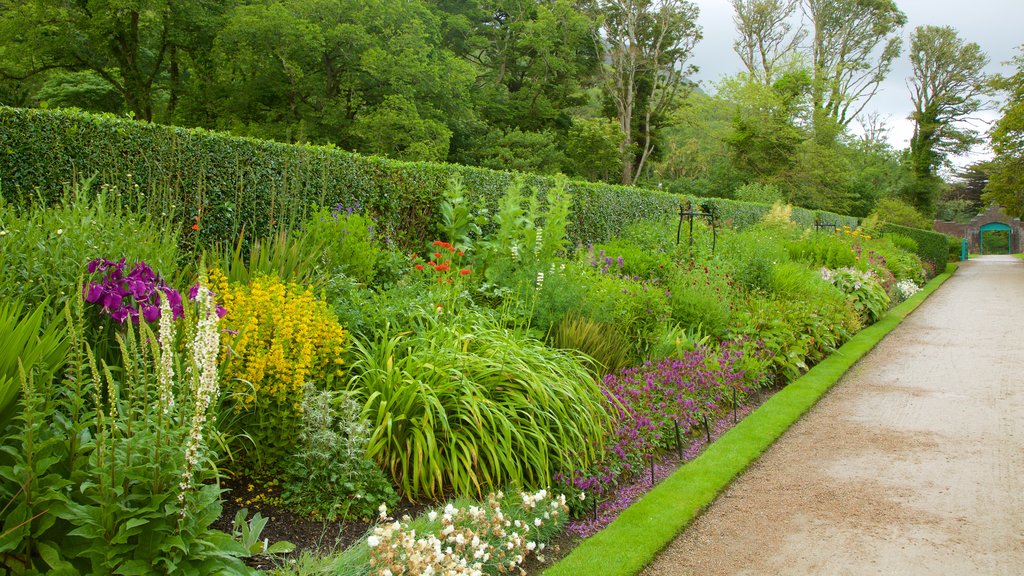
(27, 348)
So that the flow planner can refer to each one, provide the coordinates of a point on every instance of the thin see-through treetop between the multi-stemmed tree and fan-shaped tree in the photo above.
(767, 38)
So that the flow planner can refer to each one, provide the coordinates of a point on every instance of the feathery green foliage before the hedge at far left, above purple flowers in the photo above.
(45, 253)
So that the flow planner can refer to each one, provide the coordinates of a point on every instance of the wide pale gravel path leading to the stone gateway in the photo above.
(913, 465)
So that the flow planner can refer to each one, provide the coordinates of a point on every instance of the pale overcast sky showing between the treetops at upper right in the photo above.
(998, 26)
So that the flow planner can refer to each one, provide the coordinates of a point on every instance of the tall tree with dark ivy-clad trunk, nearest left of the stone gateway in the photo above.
(948, 88)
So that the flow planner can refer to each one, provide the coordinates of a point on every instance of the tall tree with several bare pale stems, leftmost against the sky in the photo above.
(645, 47)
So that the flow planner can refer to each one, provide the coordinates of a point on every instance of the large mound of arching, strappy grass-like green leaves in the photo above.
(467, 405)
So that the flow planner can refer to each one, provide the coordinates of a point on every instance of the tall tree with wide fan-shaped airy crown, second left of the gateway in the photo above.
(854, 46)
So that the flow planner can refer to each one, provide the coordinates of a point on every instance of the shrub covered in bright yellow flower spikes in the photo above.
(285, 339)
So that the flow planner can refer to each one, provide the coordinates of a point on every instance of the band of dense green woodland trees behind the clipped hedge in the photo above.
(599, 90)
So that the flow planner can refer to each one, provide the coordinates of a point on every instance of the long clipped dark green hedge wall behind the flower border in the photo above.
(227, 183)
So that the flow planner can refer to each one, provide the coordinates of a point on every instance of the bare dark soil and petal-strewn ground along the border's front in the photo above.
(326, 538)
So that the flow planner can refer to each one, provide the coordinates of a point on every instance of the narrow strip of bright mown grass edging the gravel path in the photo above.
(633, 540)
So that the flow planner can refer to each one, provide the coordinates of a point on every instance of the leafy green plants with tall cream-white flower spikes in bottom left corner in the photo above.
(109, 471)
